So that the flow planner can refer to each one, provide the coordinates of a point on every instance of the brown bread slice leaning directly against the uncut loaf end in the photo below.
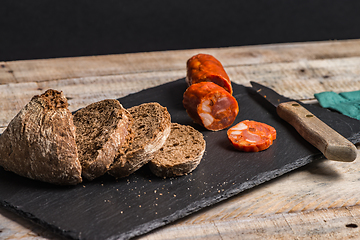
(101, 129)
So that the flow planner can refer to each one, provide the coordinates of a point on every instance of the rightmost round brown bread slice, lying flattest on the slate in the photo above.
(181, 153)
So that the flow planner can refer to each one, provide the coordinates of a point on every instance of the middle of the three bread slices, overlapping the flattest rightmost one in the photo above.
(152, 124)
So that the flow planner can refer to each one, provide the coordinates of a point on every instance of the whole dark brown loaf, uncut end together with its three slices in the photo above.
(46, 142)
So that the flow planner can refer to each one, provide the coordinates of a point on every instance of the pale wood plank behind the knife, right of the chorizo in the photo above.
(300, 80)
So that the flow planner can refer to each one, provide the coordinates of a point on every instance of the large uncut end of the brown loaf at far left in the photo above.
(39, 142)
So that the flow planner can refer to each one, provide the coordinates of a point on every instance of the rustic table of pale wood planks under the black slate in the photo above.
(318, 201)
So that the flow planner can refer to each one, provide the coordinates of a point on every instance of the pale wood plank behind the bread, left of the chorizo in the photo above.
(79, 91)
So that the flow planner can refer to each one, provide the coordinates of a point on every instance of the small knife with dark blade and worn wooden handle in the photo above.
(333, 145)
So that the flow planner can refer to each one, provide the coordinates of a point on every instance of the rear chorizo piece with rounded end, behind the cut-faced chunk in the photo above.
(206, 68)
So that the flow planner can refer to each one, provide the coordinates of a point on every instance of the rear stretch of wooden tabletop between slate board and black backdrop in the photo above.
(294, 70)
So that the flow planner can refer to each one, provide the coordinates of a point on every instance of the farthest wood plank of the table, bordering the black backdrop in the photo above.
(64, 68)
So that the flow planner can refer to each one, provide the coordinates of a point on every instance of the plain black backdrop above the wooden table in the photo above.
(66, 28)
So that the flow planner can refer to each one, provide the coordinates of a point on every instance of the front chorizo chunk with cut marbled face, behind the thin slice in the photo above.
(210, 105)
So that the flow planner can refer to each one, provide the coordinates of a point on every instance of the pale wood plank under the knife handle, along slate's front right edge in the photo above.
(317, 186)
